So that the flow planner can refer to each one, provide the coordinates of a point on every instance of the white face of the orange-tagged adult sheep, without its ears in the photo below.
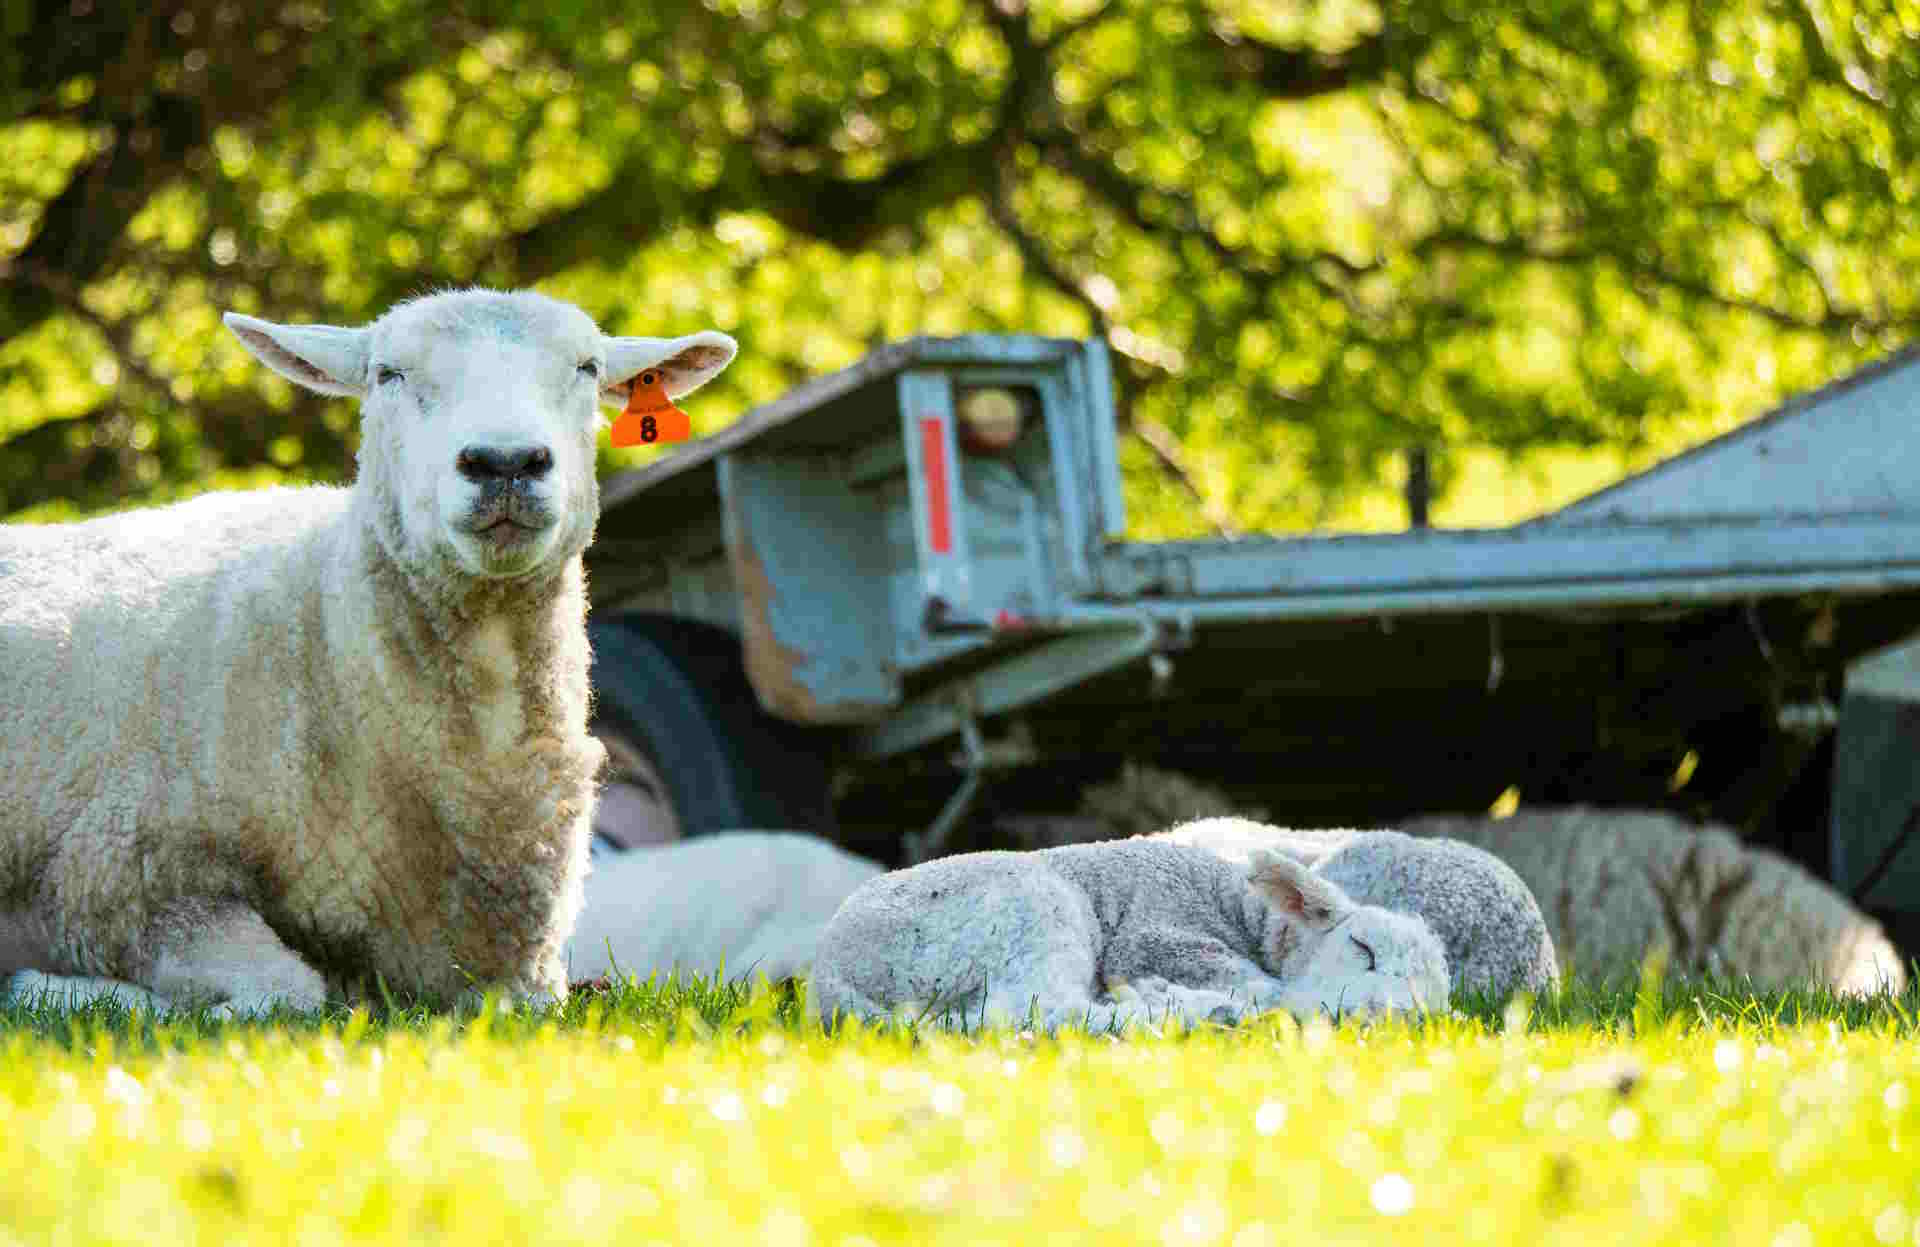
(483, 416)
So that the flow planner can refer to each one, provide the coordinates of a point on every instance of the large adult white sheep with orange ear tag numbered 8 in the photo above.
(262, 746)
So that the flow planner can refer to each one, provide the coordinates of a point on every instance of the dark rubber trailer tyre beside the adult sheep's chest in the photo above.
(677, 691)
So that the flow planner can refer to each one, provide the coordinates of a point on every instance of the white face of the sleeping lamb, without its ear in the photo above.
(1378, 960)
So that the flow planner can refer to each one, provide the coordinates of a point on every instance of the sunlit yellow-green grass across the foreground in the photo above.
(698, 1115)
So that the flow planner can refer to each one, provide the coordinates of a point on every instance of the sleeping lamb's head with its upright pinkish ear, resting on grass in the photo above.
(1349, 958)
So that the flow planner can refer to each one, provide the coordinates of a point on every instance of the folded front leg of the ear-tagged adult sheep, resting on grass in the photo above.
(231, 960)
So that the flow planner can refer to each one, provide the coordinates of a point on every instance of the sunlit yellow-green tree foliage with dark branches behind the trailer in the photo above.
(1316, 233)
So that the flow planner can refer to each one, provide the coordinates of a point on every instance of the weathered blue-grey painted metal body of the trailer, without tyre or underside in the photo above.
(828, 568)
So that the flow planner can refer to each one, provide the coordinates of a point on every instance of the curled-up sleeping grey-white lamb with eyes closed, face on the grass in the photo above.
(1105, 935)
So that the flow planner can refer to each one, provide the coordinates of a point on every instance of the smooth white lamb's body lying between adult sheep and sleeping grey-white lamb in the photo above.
(752, 902)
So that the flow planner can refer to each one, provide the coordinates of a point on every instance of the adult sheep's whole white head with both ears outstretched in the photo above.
(481, 414)
